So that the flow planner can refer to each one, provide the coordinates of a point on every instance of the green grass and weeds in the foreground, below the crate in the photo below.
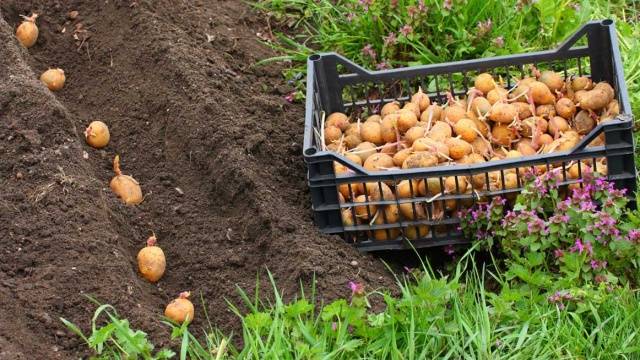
(448, 317)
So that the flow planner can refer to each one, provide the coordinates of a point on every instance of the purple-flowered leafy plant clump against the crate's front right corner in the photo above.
(561, 237)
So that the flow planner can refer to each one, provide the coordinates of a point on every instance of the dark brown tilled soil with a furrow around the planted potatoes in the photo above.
(210, 138)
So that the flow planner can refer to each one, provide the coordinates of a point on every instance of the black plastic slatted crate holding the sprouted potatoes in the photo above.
(334, 84)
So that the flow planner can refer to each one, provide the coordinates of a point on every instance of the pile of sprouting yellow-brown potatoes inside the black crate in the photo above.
(541, 114)
